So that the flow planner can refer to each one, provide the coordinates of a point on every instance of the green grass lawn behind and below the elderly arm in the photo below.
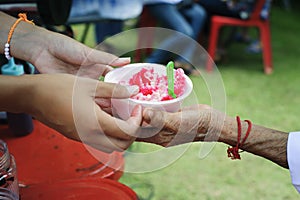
(271, 101)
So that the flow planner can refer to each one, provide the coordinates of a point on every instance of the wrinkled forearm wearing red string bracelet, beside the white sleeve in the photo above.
(265, 142)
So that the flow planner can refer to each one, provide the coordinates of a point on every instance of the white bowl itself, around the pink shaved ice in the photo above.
(124, 107)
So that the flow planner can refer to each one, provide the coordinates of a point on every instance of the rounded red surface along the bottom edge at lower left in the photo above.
(79, 189)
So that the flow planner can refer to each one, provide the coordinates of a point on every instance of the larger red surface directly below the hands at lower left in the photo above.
(46, 156)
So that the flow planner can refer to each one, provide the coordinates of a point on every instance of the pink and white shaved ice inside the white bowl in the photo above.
(154, 87)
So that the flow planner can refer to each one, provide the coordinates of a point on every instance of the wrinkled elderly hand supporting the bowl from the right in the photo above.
(168, 129)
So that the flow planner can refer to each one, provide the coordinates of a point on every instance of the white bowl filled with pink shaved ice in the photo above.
(153, 84)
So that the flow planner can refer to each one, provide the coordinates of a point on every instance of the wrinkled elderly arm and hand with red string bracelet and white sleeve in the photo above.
(203, 123)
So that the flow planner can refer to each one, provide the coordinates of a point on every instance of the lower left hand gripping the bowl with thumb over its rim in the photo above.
(68, 104)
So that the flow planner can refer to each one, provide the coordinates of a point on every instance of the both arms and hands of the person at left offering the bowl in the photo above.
(57, 97)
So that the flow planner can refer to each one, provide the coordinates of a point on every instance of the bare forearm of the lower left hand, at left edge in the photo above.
(15, 92)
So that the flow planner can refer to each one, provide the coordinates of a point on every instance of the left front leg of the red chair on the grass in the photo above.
(212, 46)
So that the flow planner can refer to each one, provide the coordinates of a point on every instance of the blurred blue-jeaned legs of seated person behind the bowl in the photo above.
(184, 16)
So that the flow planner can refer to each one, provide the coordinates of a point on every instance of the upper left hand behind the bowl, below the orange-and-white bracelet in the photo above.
(52, 52)
